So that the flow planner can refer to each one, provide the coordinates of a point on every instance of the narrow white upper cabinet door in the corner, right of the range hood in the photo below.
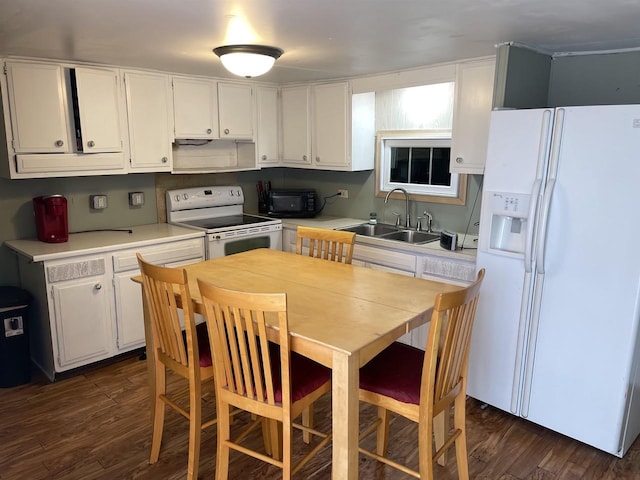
(267, 131)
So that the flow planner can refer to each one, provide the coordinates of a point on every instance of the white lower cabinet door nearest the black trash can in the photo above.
(82, 312)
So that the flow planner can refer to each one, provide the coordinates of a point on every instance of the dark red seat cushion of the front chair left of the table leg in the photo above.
(306, 375)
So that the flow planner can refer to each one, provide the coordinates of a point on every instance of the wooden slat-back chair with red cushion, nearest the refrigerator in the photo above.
(422, 386)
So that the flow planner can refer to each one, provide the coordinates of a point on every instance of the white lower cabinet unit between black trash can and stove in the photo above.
(87, 308)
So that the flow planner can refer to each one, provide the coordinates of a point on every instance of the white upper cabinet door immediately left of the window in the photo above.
(331, 125)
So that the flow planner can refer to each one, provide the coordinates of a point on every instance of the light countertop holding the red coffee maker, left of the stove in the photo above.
(101, 241)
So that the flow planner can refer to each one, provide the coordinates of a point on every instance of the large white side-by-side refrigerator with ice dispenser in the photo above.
(556, 336)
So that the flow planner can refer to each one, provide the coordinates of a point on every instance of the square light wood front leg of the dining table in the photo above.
(345, 413)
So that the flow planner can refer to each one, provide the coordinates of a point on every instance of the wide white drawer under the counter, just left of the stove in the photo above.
(160, 254)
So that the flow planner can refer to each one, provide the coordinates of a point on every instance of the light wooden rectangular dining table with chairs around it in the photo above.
(339, 315)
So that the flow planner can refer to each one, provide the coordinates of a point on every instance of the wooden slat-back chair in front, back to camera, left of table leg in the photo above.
(258, 376)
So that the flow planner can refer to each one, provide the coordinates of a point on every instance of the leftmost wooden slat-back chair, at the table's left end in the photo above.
(185, 352)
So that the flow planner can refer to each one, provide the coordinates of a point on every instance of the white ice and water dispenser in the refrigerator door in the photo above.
(508, 220)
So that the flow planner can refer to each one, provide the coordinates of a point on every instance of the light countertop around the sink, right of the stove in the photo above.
(467, 253)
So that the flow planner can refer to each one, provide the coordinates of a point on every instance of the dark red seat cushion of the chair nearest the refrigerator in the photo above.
(395, 372)
